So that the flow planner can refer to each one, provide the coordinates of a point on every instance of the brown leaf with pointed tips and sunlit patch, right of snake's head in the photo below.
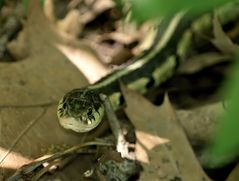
(162, 146)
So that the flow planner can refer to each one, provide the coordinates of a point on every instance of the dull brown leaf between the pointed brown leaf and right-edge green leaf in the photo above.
(200, 123)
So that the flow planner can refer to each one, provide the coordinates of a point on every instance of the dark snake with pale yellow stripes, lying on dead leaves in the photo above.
(82, 109)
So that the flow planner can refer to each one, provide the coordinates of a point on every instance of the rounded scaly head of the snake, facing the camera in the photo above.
(80, 110)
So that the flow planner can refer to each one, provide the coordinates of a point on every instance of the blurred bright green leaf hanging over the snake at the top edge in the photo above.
(148, 9)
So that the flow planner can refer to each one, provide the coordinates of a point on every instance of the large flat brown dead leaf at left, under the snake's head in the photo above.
(30, 90)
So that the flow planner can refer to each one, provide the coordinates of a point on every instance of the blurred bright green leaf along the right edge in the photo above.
(226, 141)
